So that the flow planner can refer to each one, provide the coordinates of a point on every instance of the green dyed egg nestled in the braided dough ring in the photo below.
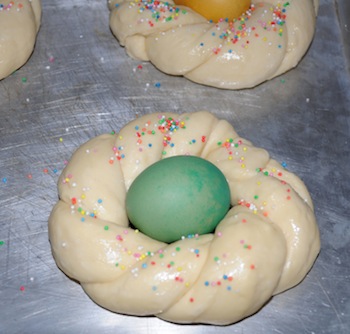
(178, 197)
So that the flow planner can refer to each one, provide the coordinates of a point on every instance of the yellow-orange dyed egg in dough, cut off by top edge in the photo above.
(217, 9)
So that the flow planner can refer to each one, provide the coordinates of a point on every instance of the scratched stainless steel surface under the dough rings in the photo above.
(79, 83)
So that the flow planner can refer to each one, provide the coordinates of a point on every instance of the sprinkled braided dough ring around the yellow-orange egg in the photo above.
(265, 42)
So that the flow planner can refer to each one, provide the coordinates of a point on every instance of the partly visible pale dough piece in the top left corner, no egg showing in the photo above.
(19, 25)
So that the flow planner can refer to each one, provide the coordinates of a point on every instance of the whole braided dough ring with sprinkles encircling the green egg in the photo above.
(266, 243)
